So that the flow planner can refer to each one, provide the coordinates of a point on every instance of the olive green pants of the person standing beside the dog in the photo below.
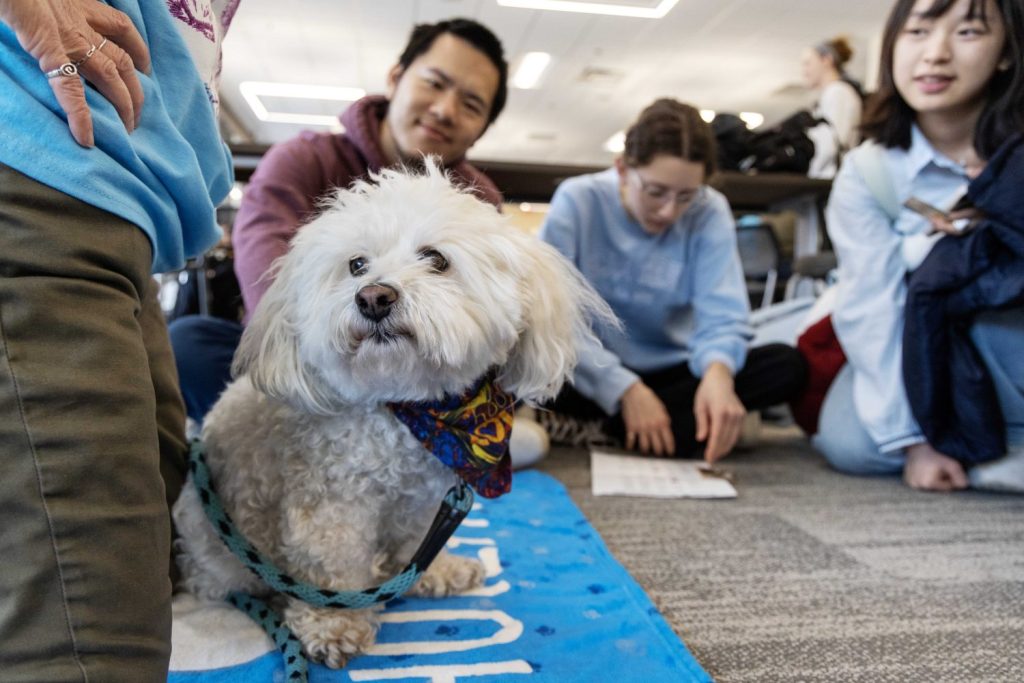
(92, 445)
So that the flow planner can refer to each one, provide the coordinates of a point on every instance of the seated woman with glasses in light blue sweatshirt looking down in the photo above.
(660, 246)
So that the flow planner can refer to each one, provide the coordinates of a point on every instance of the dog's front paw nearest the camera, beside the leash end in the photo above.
(332, 636)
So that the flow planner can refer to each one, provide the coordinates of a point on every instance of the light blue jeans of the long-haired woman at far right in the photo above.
(999, 336)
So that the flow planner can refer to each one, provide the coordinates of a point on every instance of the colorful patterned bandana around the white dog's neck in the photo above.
(470, 434)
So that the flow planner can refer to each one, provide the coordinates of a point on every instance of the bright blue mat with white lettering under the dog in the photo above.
(558, 608)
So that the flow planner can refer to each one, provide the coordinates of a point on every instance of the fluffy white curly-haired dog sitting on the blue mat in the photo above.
(405, 290)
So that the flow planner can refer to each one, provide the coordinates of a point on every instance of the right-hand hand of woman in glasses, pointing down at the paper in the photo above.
(719, 412)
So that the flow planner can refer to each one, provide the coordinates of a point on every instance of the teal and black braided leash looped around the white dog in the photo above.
(454, 509)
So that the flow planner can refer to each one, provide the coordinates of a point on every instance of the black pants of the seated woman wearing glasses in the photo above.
(773, 375)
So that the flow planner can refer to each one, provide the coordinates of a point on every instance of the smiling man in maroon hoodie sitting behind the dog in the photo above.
(448, 88)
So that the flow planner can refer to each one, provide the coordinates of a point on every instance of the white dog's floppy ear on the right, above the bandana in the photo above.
(559, 310)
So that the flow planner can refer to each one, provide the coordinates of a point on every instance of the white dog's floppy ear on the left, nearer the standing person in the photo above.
(270, 352)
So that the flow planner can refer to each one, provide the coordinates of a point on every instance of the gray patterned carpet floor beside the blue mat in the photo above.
(817, 577)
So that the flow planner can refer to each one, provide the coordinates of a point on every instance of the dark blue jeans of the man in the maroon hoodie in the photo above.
(204, 348)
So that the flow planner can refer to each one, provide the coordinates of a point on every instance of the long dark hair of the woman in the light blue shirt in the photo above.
(889, 119)
